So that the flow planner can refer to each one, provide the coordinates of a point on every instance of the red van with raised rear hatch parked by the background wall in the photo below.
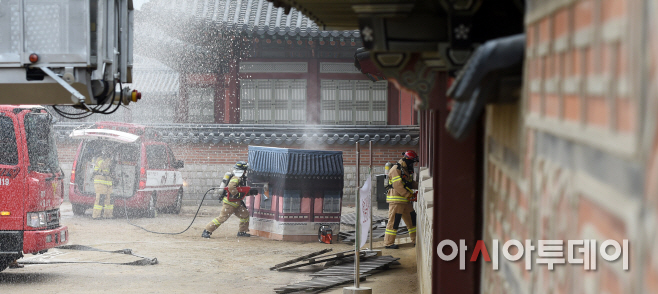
(146, 173)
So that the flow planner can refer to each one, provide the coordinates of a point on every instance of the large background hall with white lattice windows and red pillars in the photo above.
(248, 62)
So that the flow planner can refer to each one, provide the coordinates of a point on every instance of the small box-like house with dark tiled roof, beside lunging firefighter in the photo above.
(304, 191)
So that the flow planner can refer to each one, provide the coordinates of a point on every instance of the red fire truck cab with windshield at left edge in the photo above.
(31, 184)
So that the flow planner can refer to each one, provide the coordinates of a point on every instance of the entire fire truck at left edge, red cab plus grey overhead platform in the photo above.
(75, 55)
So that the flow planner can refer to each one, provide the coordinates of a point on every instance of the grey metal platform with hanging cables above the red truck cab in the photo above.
(67, 52)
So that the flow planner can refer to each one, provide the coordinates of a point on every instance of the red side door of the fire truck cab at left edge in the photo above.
(12, 174)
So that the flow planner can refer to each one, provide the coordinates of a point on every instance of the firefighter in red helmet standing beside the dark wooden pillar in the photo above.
(399, 199)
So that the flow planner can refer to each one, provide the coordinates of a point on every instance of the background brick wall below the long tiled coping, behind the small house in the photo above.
(205, 164)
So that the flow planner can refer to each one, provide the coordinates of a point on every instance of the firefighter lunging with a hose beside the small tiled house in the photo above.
(233, 203)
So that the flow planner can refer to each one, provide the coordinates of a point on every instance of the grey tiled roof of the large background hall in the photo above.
(252, 16)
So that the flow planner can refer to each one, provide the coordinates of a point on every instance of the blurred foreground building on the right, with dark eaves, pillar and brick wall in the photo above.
(547, 133)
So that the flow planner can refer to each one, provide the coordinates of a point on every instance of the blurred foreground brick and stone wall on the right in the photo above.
(578, 157)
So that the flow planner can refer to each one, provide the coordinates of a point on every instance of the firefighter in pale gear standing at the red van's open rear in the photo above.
(103, 168)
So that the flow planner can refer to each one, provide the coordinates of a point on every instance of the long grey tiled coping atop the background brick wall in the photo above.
(243, 134)
